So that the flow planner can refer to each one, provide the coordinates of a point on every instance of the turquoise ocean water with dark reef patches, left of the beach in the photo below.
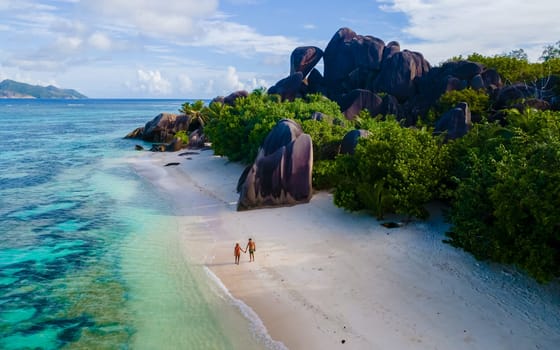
(88, 250)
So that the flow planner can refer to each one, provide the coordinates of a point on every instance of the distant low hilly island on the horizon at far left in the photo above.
(14, 89)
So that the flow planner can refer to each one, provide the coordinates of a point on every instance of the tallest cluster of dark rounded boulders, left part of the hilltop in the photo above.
(354, 64)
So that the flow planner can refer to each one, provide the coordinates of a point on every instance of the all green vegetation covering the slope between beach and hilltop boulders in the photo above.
(501, 181)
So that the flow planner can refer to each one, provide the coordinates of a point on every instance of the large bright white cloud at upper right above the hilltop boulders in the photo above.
(441, 29)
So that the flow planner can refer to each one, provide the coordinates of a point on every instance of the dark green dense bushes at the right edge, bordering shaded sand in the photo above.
(507, 203)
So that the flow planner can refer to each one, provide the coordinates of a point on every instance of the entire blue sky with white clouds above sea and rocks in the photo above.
(208, 48)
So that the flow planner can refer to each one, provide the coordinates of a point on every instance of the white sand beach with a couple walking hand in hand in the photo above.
(324, 278)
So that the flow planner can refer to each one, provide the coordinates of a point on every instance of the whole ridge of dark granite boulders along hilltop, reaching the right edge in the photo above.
(358, 69)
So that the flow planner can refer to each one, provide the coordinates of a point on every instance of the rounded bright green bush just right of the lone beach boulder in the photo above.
(394, 170)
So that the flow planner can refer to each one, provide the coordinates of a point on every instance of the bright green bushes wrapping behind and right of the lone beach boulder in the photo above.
(406, 165)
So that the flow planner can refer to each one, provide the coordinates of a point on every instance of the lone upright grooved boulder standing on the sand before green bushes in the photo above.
(281, 173)
